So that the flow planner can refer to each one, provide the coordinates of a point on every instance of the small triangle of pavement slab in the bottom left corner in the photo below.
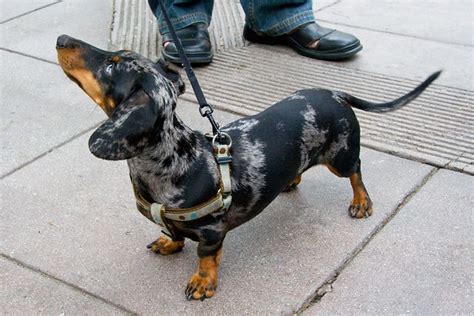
(26, 292)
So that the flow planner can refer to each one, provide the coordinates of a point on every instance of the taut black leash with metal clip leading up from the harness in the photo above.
(204, 108)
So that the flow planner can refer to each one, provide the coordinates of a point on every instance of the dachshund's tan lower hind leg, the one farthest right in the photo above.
(361, 205)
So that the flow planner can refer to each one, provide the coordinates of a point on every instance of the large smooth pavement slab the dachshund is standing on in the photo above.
(78, 212)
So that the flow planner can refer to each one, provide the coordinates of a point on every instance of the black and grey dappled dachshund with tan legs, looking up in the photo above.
(175, 166)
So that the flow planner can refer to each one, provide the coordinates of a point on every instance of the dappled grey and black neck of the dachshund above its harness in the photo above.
(174, 153)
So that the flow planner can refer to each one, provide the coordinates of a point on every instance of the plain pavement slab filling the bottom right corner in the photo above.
(420, 263)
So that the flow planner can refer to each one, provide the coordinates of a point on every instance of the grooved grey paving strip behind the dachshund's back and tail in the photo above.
(437, 127)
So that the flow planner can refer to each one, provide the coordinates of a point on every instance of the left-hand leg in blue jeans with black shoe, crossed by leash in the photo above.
(190, 19)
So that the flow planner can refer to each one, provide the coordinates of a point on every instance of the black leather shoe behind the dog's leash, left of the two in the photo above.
(196, 44)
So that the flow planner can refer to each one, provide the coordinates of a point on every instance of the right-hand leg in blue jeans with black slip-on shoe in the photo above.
(291, 23)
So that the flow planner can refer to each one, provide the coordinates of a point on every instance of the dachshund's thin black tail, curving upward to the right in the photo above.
(388, 106)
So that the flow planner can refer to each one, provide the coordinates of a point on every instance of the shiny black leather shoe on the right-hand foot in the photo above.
(312, 40)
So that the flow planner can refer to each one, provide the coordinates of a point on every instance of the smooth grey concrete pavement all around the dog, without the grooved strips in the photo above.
(72, 242)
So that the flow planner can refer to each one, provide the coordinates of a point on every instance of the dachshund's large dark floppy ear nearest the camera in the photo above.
(127, 132)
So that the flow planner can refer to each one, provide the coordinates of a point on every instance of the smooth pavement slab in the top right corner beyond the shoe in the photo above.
(450, 22)
